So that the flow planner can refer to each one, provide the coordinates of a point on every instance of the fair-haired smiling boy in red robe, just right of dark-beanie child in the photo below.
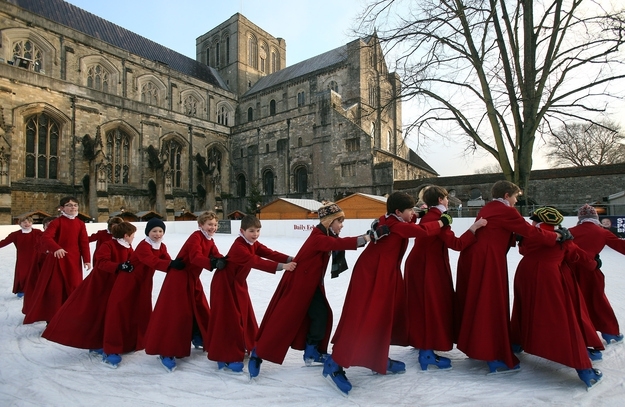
(181, 313)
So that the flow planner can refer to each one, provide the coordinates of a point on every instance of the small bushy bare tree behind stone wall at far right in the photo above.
(582, 144)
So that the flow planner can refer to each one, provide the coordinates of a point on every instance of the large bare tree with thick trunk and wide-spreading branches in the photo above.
(500, 71)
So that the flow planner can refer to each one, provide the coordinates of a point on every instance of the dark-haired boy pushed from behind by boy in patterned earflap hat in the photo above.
(374, 312)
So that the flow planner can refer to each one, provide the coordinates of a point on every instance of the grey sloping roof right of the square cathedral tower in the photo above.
(313, 64)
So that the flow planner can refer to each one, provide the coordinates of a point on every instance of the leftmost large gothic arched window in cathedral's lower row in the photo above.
(42, 147)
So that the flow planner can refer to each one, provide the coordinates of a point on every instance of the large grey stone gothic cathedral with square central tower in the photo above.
(90, 109)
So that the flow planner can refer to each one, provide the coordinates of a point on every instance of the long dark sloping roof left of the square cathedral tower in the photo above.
(80, 20)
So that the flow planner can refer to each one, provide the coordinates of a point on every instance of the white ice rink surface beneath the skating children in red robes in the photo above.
(36, 372)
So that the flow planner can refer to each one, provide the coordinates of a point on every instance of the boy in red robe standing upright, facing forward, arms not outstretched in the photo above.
(67, 241)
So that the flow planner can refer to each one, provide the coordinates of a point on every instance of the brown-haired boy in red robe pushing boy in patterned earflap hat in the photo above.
(233, 327)
